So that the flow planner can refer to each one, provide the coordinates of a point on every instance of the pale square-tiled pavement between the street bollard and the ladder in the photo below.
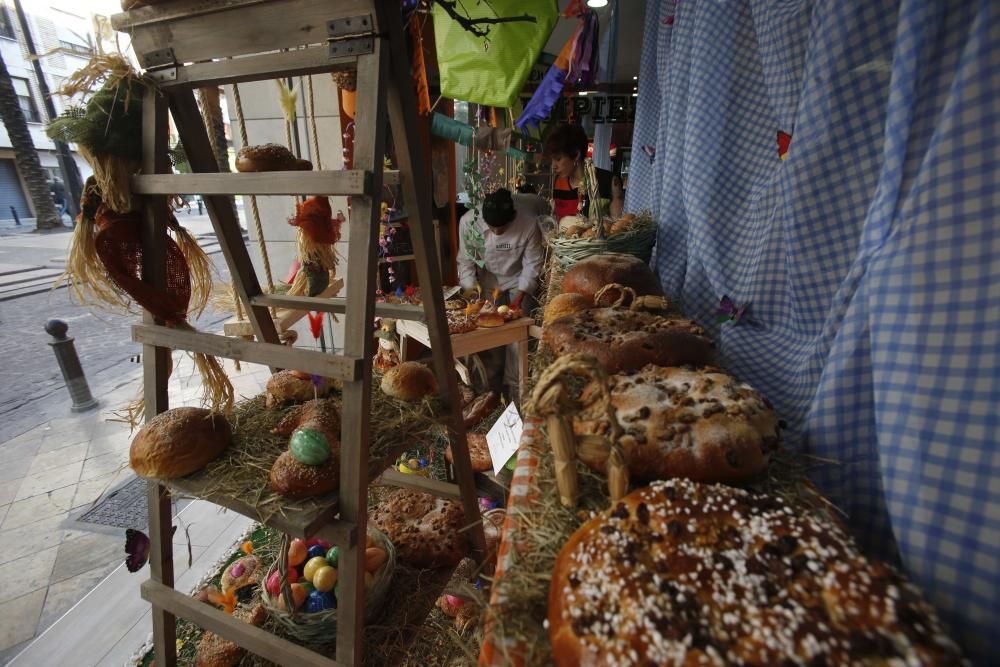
(48, 477)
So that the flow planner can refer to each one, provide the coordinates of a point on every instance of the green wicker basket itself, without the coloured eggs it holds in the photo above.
(321, 627)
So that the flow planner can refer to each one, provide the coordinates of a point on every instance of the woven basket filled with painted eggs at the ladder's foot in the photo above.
(313, 619)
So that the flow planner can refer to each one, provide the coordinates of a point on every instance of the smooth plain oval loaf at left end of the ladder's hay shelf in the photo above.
(179, 442)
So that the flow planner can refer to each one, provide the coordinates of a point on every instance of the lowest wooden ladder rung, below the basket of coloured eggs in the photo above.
(257, 640)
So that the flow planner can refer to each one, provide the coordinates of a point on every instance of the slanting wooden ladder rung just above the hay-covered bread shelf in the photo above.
(268, 354)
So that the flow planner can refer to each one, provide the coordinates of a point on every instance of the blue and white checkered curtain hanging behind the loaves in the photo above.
(870, 256)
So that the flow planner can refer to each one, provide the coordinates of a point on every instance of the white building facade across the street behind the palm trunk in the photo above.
(64, 38)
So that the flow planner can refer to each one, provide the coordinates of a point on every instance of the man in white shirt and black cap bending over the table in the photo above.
(501, 246)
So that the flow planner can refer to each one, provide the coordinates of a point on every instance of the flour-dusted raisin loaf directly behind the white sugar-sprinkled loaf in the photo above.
(683, 422)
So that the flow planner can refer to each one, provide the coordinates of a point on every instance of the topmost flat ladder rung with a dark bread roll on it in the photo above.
(344, 182)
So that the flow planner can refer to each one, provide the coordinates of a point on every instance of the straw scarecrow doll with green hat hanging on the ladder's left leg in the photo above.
(104, 265)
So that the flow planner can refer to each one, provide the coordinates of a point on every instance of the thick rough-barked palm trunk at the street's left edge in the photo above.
(25, 155)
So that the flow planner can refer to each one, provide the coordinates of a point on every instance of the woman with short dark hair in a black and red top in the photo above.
(566, 147)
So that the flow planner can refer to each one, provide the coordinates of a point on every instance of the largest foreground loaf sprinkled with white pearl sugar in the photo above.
(682, 573)
